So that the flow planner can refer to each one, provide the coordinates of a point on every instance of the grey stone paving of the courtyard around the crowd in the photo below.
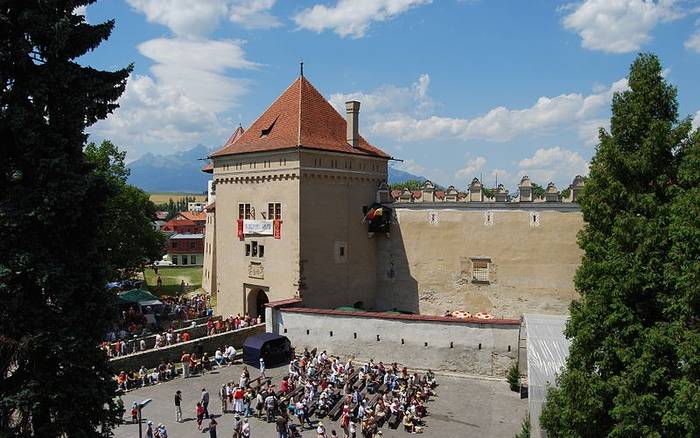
(463, 407)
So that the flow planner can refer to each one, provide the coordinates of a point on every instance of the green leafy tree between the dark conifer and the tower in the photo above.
(126, 230)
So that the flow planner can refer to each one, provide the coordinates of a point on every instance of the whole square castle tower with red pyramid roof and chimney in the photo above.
(290, 193)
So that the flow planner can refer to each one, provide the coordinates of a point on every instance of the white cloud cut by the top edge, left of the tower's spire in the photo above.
(187, 18)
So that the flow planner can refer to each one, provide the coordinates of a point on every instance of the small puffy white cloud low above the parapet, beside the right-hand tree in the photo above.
(553, 164)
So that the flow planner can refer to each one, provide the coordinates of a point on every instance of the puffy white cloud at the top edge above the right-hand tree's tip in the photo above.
(618, 26)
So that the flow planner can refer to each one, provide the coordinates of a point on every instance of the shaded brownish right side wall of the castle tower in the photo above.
(331, 216)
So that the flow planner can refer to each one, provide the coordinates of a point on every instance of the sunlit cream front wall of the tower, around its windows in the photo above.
(256, 179)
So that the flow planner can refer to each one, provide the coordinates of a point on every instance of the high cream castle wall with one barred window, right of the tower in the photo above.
(426, 267)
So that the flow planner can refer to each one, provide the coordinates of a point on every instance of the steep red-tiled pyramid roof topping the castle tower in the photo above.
(300, 117)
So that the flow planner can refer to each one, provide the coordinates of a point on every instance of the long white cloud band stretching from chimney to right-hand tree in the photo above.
(501, 124)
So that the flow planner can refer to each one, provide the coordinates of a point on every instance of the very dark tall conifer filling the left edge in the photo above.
(53, 381)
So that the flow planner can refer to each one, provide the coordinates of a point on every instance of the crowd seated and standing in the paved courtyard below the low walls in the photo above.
(362, 398)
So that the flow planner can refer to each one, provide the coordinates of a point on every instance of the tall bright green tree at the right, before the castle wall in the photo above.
(634, 362)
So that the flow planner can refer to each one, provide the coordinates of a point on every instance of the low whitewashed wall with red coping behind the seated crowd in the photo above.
(478, 348)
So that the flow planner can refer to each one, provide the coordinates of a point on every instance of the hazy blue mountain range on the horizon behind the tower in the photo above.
(182, 172)
